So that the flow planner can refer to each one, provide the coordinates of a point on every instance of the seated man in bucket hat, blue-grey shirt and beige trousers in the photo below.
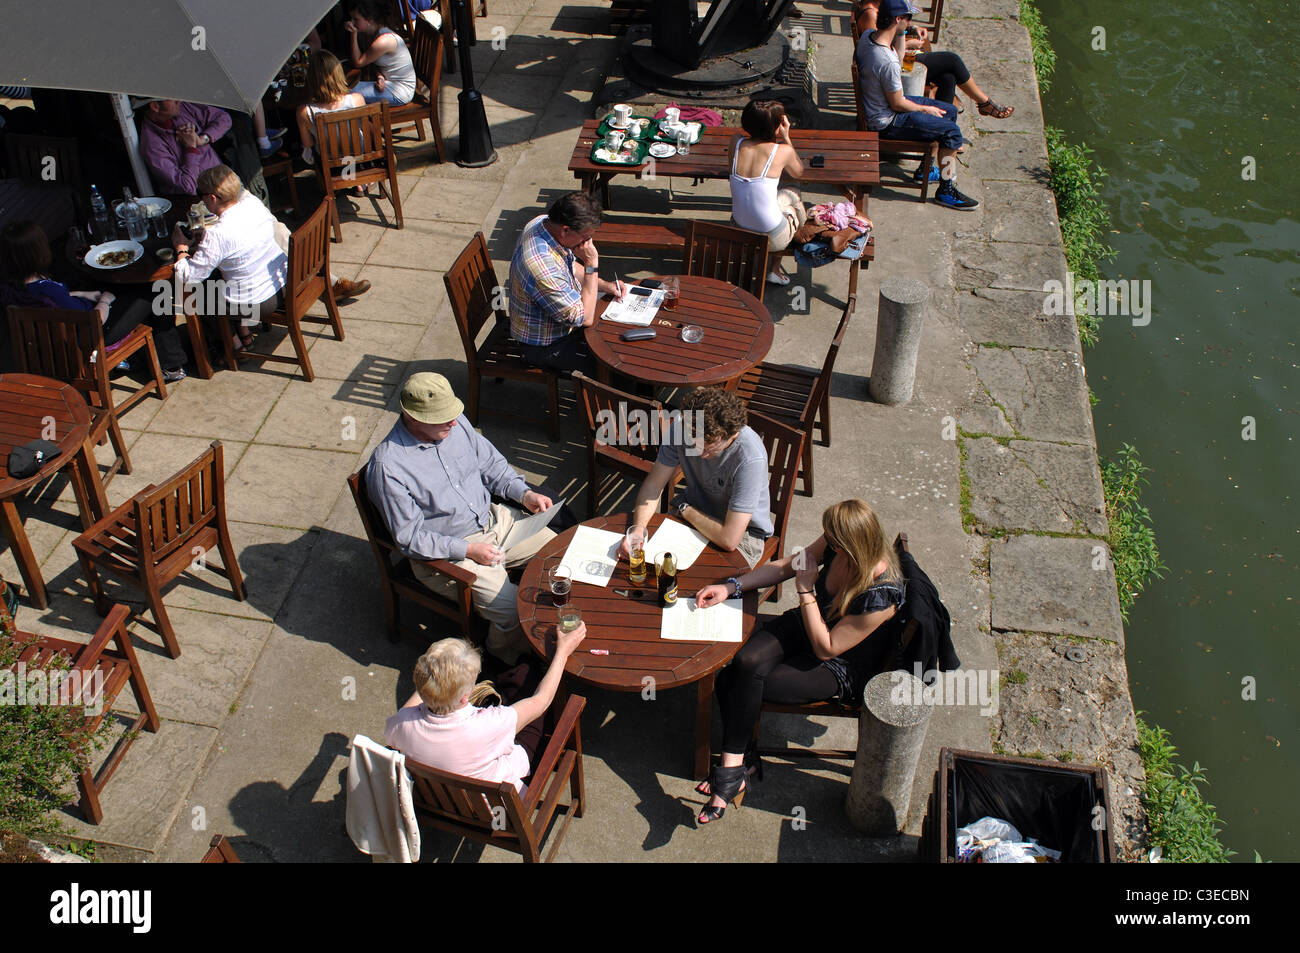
(434, 479)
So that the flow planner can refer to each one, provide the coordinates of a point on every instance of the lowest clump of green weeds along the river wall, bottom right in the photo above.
(1182, 825)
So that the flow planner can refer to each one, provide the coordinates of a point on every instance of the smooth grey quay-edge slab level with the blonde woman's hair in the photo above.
(1047, 584)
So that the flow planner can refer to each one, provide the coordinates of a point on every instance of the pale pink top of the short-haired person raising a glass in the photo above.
(475, 743)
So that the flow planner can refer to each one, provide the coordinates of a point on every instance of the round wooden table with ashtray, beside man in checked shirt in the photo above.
(738, 336)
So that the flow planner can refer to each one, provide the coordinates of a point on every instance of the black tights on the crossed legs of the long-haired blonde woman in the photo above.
(777, 665)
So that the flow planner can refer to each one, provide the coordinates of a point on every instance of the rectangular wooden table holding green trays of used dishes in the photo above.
(852, 161)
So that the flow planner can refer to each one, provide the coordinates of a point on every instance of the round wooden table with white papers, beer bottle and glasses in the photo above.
(629, 629)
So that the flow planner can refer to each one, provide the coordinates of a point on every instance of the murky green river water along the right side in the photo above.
(1180, 106)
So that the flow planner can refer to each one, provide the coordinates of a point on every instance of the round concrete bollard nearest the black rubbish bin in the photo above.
(890, 739)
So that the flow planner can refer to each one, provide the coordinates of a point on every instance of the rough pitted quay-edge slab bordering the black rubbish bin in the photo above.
(1074, 712)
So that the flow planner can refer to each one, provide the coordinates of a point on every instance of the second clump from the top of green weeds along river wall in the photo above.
(1076, 179)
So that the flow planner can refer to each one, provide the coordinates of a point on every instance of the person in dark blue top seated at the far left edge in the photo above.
(25, 283)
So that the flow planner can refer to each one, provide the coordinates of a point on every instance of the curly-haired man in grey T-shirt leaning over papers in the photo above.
(726, 497)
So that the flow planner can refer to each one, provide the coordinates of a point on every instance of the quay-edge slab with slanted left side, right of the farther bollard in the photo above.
(1043, 393)
